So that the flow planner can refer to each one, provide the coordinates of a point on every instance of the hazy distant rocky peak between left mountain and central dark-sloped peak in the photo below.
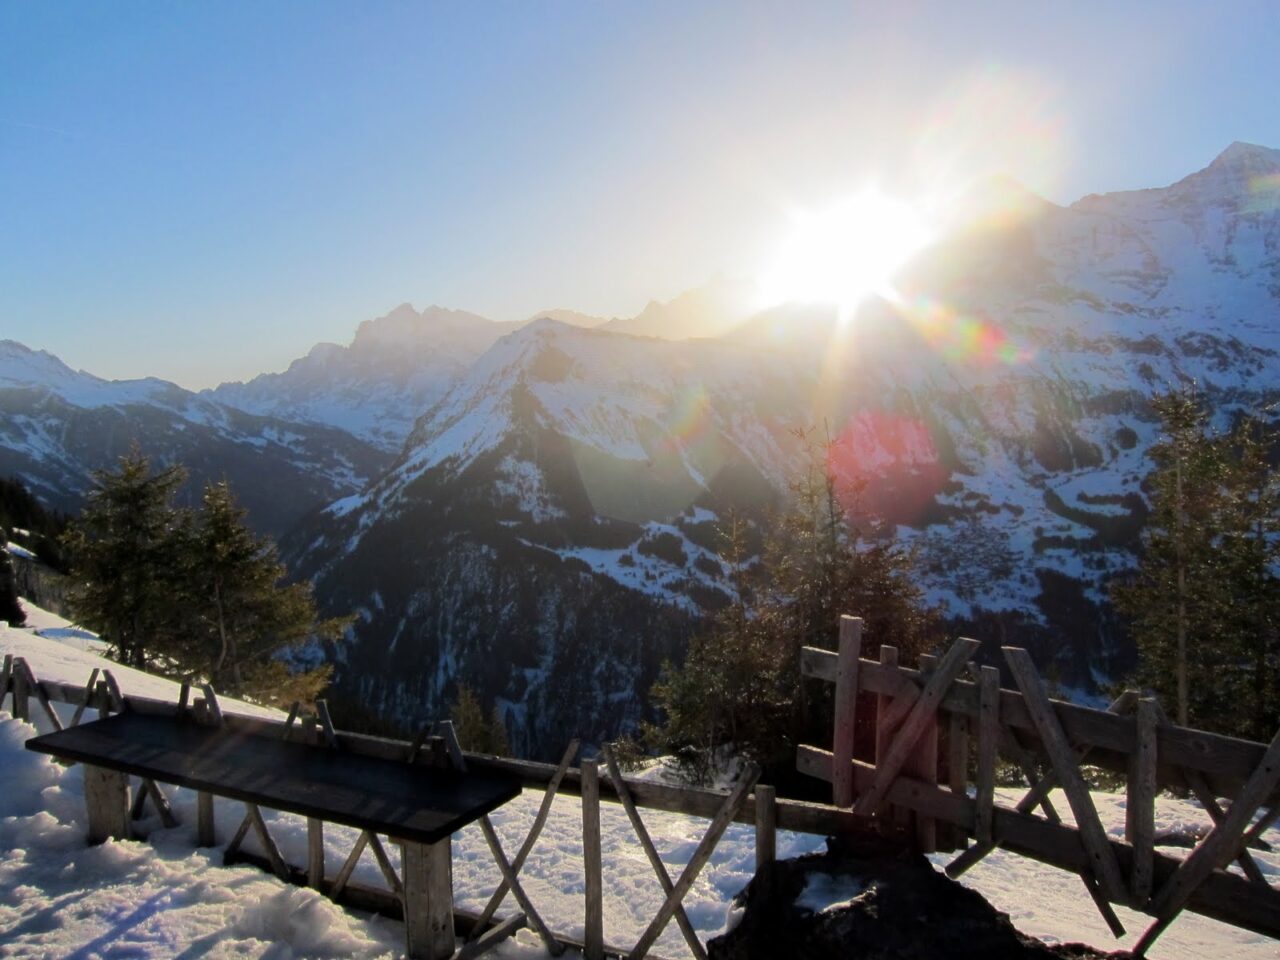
(394, 371)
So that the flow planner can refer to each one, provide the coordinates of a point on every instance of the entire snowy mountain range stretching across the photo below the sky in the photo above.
(542, 509)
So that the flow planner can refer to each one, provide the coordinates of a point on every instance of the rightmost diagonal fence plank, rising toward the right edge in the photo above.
(1218, 849)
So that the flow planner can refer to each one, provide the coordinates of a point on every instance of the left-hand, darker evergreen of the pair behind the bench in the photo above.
(124, 556)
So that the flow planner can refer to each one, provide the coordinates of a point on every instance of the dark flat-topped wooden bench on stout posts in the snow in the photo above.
(419, 807)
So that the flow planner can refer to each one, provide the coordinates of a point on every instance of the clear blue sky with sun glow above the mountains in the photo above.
(204, 191)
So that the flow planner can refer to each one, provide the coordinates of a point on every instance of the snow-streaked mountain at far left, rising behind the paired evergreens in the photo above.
(60, 426)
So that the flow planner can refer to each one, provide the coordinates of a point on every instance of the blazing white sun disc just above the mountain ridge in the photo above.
(845, 254)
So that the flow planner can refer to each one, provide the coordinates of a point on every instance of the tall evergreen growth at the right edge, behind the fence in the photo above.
(1204, 601)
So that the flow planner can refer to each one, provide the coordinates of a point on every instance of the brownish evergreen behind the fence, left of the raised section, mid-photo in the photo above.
(740, 684)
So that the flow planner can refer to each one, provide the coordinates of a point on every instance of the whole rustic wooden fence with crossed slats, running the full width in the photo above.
(939, 734)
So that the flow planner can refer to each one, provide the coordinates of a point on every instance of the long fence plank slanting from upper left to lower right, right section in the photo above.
(1103, 860)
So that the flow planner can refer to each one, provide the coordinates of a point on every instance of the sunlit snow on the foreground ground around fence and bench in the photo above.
(163, 898)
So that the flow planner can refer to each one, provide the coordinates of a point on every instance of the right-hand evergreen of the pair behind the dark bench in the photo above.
(240, 616)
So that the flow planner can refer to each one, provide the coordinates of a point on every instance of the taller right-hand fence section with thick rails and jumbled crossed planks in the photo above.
(950, 717)
